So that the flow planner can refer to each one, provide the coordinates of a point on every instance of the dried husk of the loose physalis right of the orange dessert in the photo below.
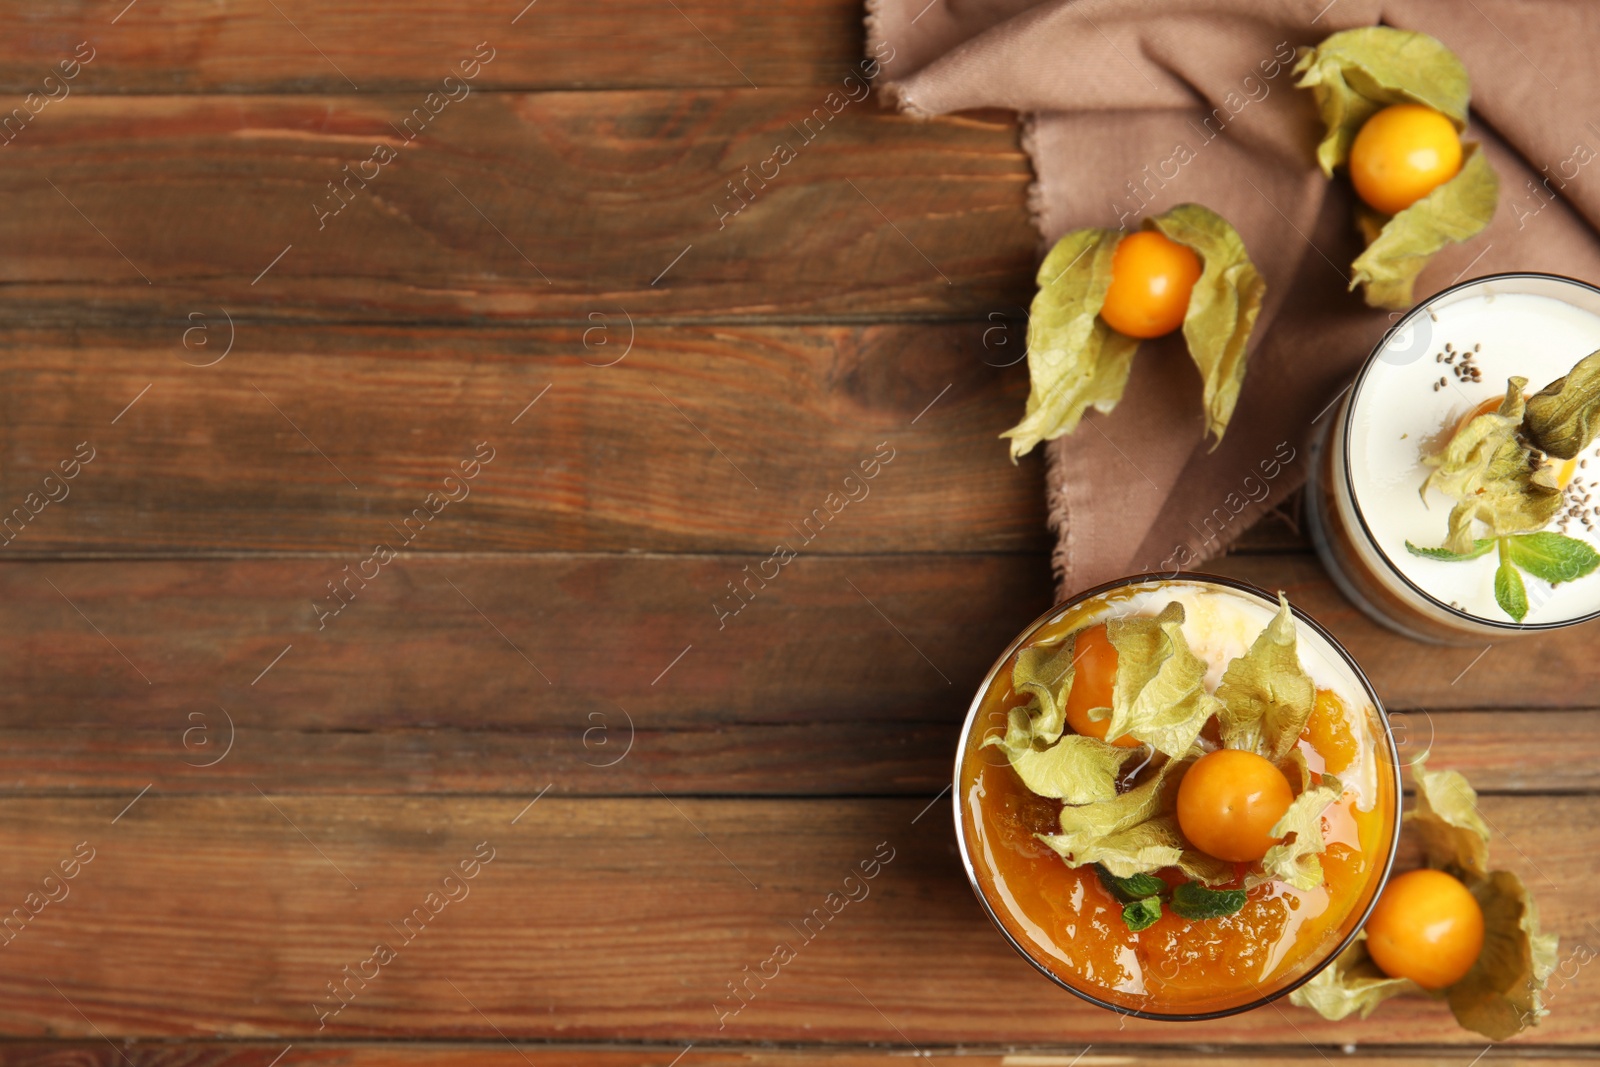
(1503, 993)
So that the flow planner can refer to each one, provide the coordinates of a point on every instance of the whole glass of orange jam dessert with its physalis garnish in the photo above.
(1177, 799)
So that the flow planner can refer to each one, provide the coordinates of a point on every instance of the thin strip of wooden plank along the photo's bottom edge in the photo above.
(495, 1053)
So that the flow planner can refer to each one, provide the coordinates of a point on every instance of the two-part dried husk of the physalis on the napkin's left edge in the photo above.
(1078, 362)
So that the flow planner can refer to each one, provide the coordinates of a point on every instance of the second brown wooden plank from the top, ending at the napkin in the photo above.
(513, 207)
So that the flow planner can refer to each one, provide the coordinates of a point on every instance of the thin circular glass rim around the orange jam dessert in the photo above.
(1156, 578)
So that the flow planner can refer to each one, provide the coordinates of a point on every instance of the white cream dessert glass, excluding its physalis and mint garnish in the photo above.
(1364, 502)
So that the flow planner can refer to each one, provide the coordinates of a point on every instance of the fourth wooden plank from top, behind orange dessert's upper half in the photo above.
(484, 673)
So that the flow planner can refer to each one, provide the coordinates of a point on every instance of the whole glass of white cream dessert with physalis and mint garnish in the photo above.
(1452, 495)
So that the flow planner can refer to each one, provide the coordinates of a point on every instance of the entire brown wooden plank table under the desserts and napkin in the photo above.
(284, 749)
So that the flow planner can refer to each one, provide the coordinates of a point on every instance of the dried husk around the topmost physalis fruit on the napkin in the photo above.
(1356, 74)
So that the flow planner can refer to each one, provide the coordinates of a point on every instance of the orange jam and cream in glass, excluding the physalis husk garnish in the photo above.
(1068, 924)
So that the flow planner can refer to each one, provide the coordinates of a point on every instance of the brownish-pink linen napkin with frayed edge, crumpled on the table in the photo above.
(1134, 106)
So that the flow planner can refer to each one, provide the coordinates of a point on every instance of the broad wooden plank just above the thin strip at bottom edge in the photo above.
(614, 921)
